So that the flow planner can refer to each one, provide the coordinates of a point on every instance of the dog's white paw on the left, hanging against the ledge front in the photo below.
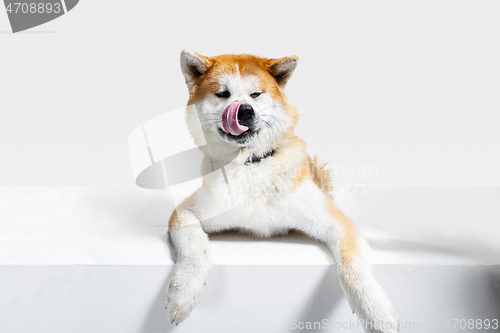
(178, 304)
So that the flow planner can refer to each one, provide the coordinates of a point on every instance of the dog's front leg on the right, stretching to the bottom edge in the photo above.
(366, 298)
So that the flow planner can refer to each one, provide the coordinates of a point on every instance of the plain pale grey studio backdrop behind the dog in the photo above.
(410, 88)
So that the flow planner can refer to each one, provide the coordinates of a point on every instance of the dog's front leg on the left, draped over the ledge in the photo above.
(192, 263)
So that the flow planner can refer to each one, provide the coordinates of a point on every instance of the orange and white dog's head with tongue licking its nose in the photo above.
(239, 98)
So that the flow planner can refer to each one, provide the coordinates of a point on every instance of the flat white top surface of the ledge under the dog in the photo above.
(127, 226)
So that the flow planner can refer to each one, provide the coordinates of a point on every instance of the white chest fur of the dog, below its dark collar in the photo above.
(256, 198)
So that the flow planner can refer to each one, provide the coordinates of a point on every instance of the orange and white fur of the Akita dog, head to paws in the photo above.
(283, 190)
